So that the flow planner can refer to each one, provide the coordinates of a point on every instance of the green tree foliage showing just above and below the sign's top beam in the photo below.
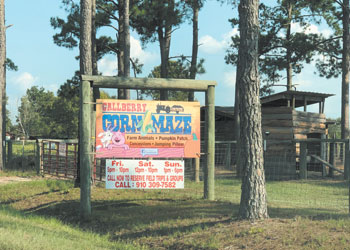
(179, 69)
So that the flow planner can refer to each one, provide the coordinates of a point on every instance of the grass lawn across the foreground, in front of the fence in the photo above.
(44, 214)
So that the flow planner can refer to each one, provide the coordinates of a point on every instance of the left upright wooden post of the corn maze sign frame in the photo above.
(85, 163)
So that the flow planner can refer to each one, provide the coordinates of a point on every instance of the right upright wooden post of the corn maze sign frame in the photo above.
(210, 191)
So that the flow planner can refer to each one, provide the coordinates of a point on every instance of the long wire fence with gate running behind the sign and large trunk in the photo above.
(324, 189)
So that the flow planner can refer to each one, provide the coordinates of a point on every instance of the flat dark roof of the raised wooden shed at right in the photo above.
(282, 98)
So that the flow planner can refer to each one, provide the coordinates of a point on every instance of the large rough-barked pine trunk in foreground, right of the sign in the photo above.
(253, 198)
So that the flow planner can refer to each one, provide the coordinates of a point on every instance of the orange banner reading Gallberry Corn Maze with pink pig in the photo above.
(147, 129)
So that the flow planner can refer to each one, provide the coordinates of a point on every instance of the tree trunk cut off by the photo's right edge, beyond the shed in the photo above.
(345, 72)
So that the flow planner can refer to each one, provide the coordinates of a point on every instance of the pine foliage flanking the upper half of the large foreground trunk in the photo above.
(275, 43)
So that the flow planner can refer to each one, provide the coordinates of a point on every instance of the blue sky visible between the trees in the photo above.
(42, 63)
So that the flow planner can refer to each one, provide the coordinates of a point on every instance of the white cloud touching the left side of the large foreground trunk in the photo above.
(210, 45)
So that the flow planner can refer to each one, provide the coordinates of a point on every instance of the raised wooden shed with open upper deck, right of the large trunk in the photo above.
(285, 117)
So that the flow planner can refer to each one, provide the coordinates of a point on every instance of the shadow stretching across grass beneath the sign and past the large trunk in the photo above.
(130, 219)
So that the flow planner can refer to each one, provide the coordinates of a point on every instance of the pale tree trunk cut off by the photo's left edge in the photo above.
(2, 80)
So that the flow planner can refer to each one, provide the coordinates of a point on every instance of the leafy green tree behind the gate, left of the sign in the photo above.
(45, 115)
